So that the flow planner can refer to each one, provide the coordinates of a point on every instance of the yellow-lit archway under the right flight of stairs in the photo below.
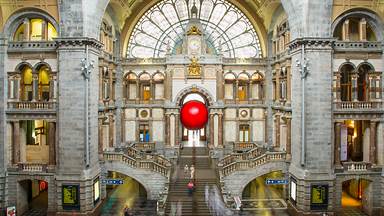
(263, 197)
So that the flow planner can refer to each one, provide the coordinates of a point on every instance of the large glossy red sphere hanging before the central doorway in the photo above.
(194, 115)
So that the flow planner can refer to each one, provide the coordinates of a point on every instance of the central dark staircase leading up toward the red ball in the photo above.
(205, 174)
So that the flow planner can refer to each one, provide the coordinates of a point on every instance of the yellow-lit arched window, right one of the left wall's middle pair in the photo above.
(43, 82)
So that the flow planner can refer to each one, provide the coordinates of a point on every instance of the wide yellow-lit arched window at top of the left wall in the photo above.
(35, 29)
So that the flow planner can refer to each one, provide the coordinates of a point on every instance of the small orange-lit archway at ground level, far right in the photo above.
(356, 196)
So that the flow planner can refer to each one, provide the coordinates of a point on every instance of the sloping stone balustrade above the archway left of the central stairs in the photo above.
(138, 159)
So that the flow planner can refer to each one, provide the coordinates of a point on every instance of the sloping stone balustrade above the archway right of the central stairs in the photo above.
(226, 169)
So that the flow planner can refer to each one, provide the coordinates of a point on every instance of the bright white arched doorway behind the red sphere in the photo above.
(194, 138)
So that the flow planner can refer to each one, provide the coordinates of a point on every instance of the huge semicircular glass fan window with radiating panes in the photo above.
(225, 27)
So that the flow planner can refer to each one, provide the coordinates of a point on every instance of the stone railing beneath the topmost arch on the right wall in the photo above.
(357, 46)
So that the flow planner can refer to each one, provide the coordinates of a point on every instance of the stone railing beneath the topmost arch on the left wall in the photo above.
(31, 45)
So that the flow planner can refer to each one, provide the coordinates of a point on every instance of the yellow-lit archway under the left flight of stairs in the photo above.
(131, 194)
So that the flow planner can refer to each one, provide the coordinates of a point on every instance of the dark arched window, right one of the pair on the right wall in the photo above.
(363, 82)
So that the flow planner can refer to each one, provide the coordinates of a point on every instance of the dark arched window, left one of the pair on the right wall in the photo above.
(346, 82)
